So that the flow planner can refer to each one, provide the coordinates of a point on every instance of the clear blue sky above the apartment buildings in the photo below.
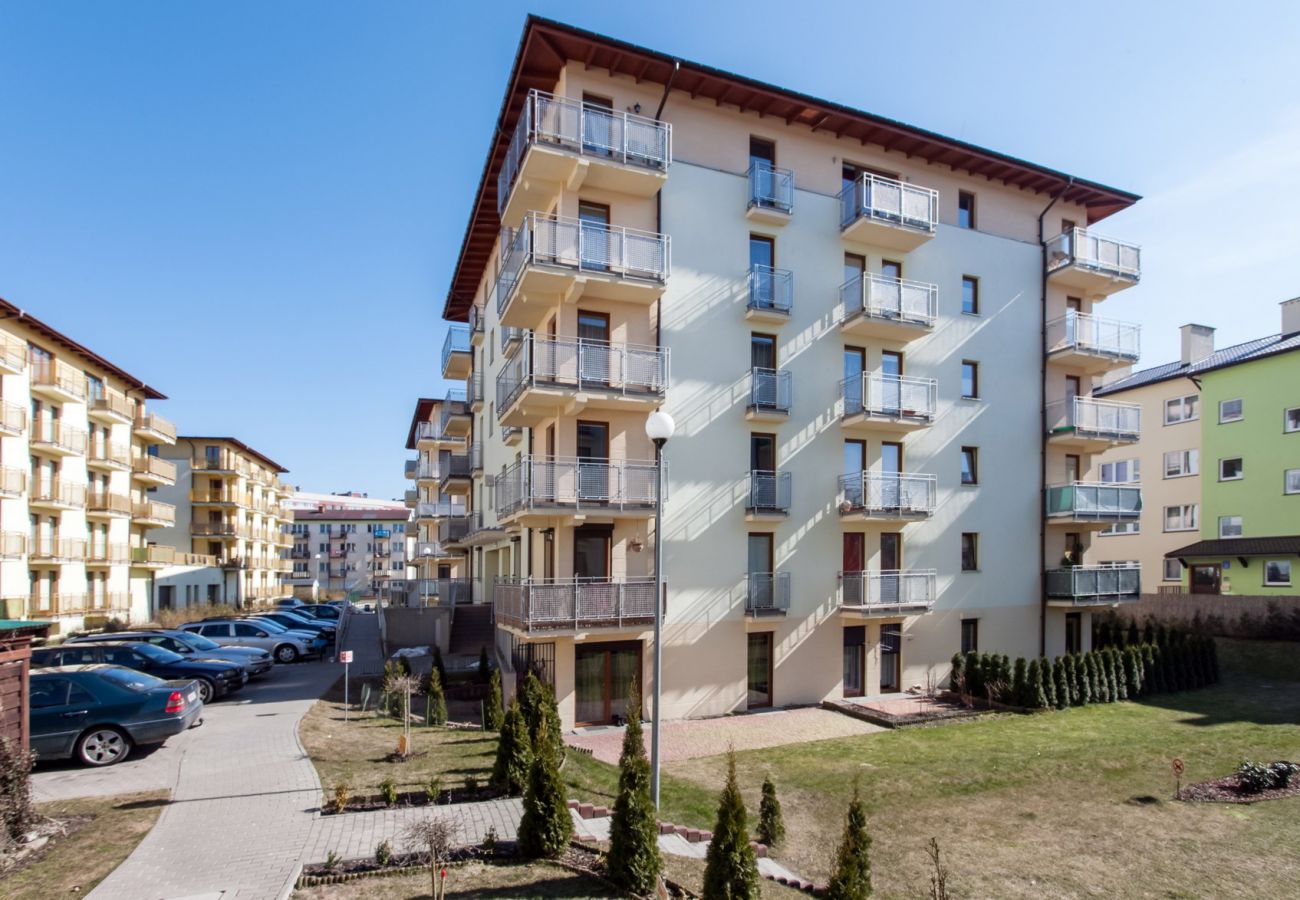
(257, 206)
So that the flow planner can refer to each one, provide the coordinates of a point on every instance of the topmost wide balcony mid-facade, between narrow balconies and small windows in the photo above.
(889, 214)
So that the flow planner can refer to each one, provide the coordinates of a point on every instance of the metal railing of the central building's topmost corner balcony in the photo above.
(583, 129)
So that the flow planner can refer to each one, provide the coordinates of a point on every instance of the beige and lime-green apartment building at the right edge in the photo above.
(1223, 494)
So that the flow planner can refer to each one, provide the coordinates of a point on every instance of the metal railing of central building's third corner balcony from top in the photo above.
(541, 362)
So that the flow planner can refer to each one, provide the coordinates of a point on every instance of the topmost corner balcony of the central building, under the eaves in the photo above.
(562, 144)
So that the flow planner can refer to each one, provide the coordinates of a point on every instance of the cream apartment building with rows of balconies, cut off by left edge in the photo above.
(79, 469)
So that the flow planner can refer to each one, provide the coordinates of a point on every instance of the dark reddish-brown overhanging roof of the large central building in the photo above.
(547, 46)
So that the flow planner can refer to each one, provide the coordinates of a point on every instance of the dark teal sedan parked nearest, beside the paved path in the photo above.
(96, 715)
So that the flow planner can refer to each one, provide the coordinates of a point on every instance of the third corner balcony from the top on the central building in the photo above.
(553, 377)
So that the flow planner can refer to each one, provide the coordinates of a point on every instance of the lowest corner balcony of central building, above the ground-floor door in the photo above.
(574, 605)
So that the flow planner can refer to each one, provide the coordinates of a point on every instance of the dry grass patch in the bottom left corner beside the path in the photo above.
(77, 863)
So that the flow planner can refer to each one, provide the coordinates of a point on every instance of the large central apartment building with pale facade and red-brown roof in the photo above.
(879, 348)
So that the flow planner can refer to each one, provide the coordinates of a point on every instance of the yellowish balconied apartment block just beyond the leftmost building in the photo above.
(228, 499)
